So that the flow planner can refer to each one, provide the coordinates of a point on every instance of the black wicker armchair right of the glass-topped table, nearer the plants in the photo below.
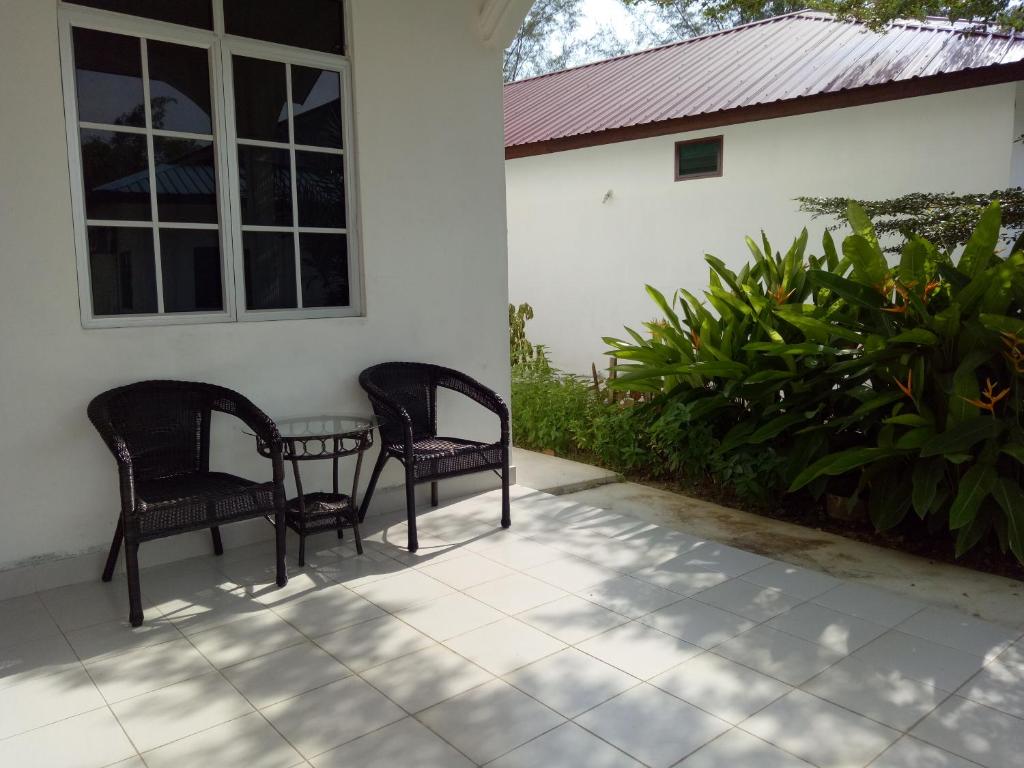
(404, 397)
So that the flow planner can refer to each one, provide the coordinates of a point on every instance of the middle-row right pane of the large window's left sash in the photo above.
(187, 181)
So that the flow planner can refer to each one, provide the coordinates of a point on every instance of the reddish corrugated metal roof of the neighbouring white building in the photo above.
(787, 58)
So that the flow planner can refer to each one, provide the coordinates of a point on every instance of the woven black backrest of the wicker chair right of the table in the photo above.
(411, 386)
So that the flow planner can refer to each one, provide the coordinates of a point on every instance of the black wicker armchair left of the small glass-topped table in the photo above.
(159, 433)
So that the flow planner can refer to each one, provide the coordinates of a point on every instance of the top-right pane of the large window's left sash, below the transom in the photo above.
(180, 88)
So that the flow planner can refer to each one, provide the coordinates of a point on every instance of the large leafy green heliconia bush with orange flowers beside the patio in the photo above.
(897, 386)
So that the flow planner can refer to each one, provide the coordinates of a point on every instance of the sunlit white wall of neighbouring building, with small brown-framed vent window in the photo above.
(582, 262)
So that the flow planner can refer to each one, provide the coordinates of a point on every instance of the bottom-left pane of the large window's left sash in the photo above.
(122, 271)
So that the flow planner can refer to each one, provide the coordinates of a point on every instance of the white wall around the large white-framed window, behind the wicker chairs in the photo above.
(432, 198)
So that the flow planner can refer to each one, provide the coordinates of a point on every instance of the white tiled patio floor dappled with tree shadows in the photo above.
(578, 638)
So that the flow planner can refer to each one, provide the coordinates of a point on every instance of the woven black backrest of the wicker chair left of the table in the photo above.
(164, 424)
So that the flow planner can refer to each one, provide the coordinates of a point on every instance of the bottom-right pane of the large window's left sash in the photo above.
(190, 262)
